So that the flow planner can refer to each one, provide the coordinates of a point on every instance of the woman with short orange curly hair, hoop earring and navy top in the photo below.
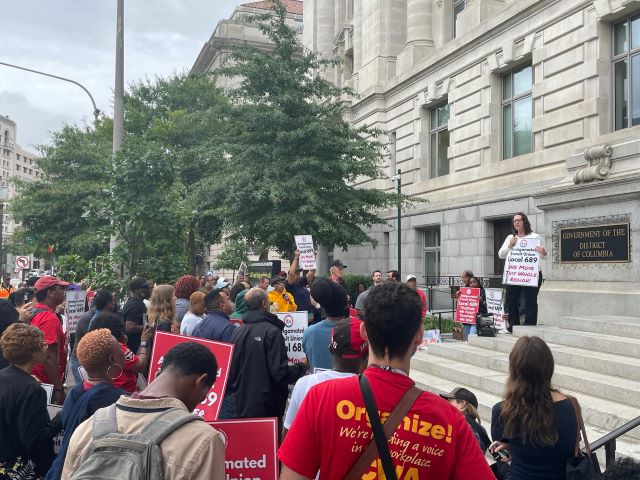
(101, 356)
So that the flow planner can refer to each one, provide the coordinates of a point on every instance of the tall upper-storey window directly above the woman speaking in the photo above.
(517, 112)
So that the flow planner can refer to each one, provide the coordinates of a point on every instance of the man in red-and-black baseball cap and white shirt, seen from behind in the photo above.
(349, 354)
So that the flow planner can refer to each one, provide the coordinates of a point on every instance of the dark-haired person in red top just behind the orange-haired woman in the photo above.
(133, 364)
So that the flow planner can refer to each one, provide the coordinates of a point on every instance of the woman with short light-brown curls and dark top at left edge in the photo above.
(26, 433)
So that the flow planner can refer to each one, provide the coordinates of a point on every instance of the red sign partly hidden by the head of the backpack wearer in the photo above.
(209, 408)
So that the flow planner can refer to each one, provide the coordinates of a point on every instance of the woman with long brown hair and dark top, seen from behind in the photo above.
(535, 421)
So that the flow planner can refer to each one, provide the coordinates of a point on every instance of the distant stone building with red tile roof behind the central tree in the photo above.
(235, 31)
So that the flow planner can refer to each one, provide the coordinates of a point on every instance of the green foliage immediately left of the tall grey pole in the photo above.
(62, 207)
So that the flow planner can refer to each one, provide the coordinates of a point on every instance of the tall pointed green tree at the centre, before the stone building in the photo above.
(293, 161)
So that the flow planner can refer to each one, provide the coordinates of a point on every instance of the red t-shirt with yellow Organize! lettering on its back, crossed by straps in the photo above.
(331, 431)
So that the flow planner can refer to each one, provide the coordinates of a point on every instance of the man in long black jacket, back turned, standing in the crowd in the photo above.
(260, 373)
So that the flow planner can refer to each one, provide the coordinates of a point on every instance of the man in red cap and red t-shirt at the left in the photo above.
(50, 294)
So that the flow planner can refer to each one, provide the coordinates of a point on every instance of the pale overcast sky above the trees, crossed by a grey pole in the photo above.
(76, 39)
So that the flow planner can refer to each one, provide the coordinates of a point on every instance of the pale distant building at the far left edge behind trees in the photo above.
(17, 163)
